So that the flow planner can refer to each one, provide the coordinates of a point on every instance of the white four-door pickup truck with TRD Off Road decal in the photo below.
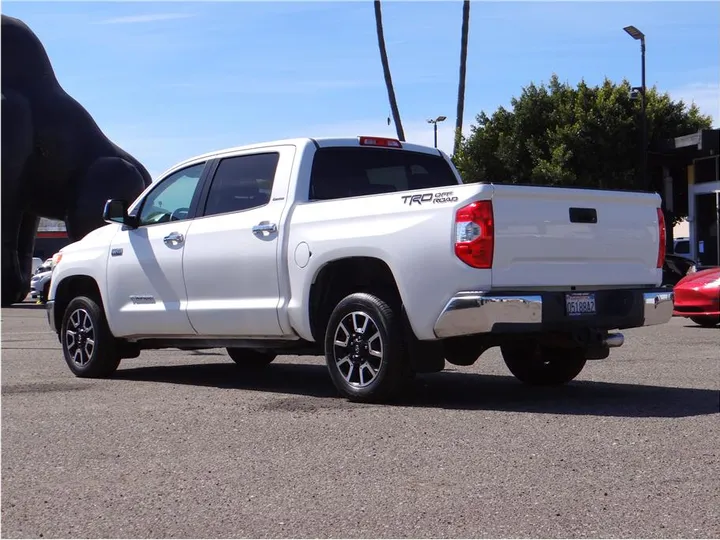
(368, 251)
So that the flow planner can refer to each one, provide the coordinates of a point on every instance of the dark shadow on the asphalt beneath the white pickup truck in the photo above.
(451, 390)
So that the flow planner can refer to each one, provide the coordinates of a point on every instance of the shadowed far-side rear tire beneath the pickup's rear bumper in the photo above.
(537, 365)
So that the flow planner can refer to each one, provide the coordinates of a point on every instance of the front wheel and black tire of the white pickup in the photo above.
(84, 321)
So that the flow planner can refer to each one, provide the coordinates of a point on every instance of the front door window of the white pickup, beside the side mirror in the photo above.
(172, 198)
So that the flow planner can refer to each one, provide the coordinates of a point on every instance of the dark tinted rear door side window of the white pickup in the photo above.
(241, 183)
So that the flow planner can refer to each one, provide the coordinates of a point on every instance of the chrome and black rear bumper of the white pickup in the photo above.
(480, 312)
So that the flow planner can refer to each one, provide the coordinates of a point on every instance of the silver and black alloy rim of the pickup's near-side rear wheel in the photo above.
(358, 349)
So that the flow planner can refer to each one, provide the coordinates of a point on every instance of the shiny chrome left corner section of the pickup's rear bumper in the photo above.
(477, 312)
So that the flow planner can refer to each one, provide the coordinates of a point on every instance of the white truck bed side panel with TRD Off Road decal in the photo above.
(414, 240)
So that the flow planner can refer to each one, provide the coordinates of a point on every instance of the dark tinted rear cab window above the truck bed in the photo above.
(353, 172)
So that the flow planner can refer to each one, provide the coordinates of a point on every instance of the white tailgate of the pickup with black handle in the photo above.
(563, 237)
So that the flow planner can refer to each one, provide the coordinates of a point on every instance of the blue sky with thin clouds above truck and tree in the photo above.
(170, 80)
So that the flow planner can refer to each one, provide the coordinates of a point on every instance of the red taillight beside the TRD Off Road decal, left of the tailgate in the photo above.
(475, 234)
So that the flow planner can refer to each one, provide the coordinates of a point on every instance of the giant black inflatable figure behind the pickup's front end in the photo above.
(56, 162)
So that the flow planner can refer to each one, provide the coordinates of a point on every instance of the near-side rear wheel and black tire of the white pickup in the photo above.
(366, 369)
